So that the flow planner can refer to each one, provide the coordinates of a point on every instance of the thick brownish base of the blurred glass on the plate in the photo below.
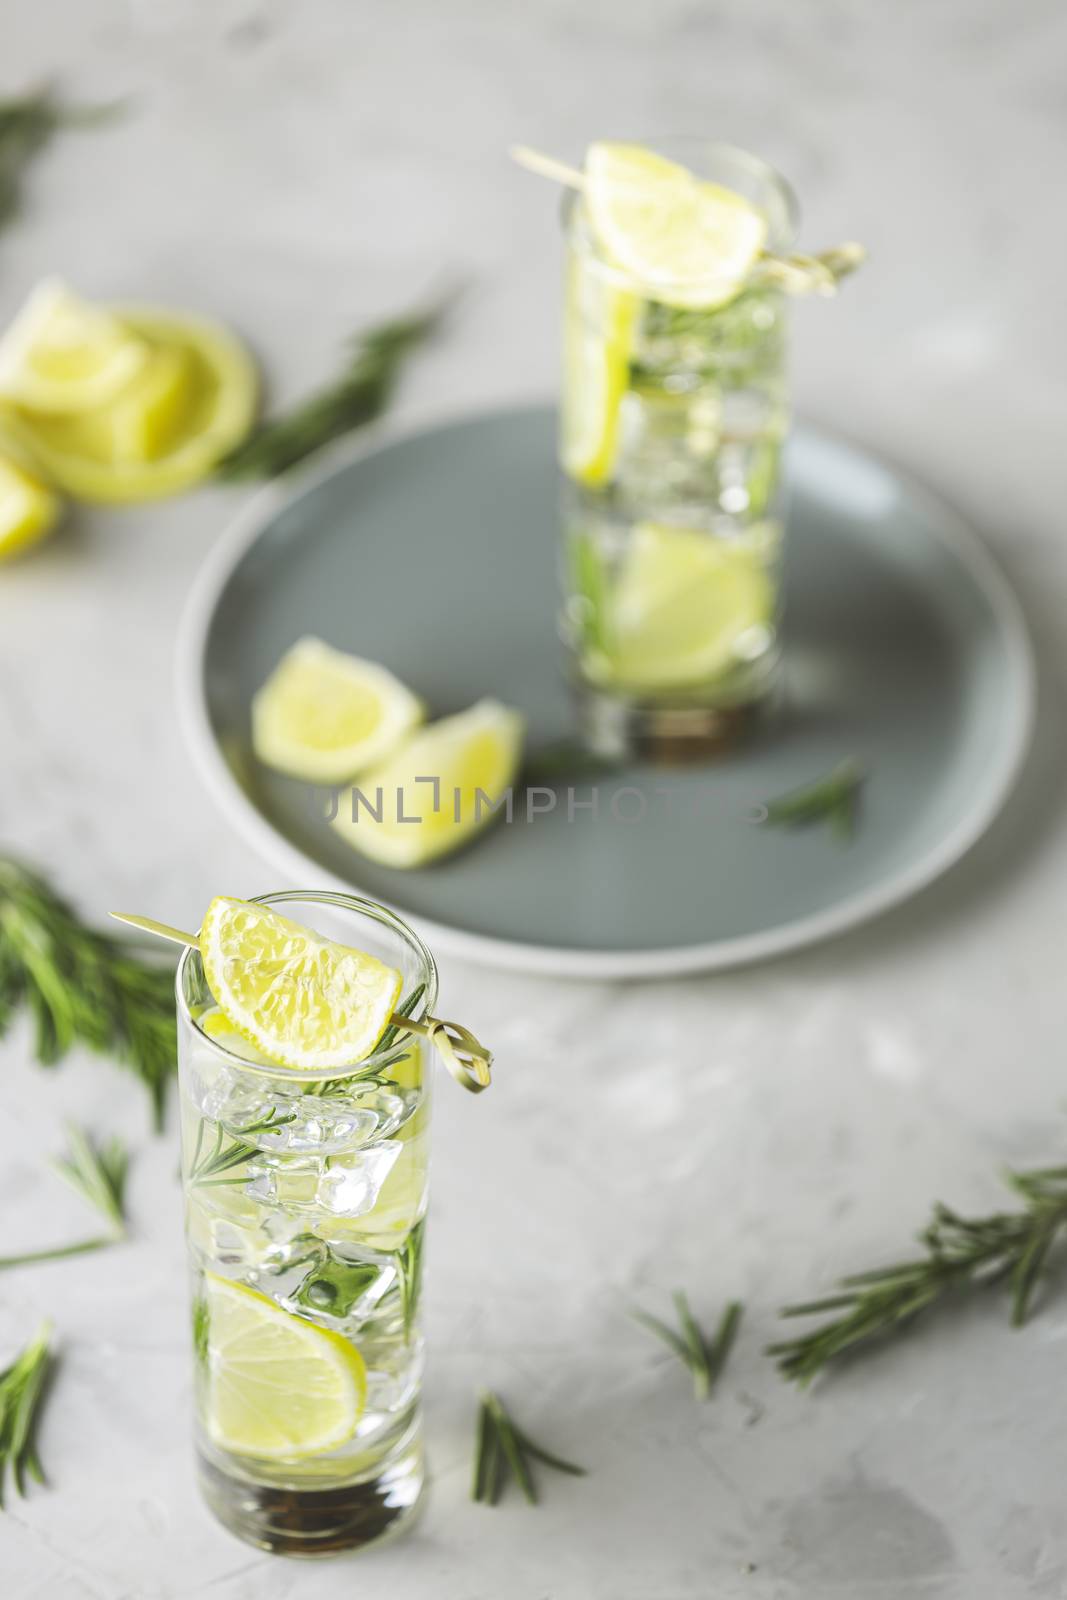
(620, 729)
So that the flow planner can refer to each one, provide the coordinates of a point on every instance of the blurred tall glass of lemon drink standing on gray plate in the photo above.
(673, 426)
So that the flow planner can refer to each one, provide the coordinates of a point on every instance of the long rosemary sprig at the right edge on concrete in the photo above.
(959, 1255)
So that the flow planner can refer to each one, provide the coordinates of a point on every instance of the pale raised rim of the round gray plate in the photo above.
(249, 522)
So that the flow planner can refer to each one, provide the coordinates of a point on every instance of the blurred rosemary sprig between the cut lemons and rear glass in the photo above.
(358, 396)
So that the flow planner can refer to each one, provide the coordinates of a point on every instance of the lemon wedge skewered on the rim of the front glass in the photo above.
(300, 999)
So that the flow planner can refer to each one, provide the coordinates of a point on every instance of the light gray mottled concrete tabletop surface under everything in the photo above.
(295, 169)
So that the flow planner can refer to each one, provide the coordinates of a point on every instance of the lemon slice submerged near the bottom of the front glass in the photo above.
(278, 1386)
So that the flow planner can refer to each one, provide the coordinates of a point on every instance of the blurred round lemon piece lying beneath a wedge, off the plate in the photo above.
(191, 402)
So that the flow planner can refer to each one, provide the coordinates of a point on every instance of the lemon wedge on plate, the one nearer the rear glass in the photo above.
(439, 790)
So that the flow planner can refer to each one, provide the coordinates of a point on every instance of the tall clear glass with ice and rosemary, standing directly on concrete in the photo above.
(305, 1209)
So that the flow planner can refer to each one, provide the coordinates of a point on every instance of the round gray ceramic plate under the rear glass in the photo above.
(434, 553)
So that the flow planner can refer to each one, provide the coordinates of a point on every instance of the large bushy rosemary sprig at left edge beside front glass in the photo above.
(82, 986)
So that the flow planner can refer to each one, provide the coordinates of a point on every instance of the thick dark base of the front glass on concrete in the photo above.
(318, 1521)
